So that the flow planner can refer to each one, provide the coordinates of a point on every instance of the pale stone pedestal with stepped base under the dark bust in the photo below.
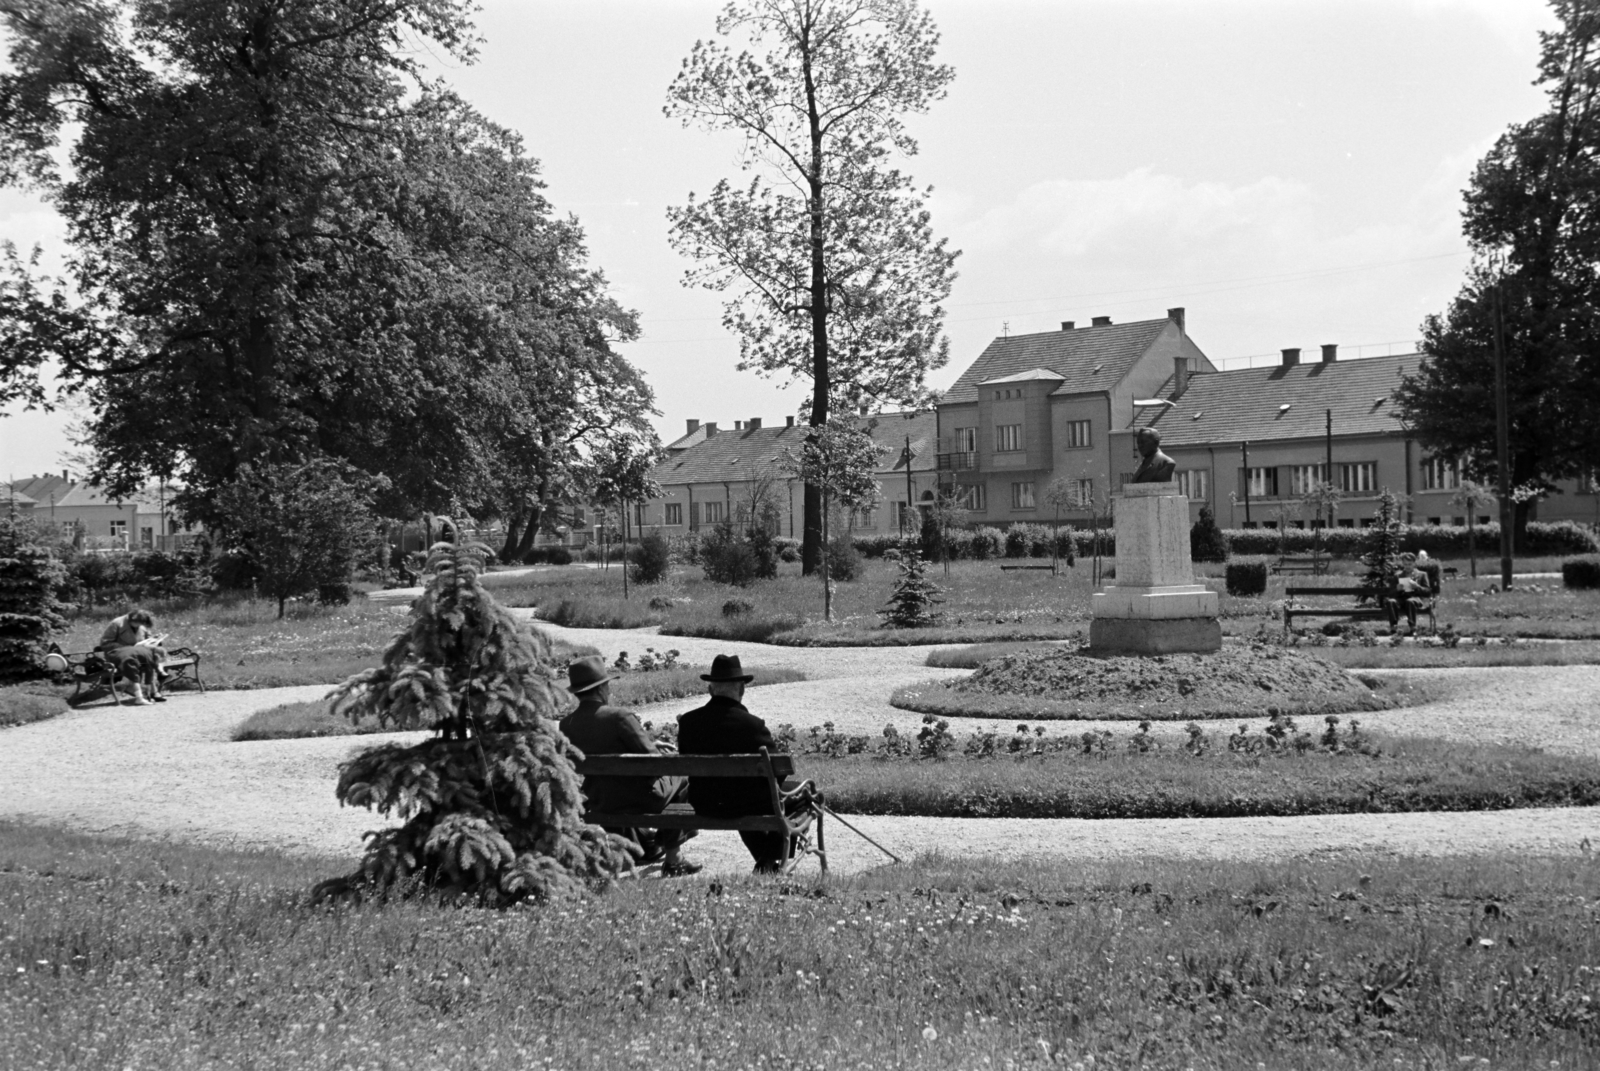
(1156, 608)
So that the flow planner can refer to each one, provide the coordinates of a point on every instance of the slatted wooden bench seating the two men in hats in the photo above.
(794, 806)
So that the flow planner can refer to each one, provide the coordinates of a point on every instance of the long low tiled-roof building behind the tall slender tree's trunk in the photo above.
(722, 473)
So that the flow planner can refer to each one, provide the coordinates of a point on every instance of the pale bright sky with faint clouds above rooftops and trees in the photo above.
(1287, 170)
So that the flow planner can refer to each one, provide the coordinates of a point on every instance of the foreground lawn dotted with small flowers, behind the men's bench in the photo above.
(126, 953)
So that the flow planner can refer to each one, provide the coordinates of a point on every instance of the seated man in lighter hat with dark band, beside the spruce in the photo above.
(610, 731)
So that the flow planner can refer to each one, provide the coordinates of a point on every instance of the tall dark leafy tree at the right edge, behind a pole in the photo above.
(1530, 217)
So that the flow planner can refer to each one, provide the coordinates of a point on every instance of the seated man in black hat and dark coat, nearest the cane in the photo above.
(724, 728)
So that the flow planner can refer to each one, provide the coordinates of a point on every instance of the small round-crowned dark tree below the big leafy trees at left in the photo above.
(305, 527)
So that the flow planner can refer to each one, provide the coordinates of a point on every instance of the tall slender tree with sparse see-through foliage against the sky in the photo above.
(828, 257)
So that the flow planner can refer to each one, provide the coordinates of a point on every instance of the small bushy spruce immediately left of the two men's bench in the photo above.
(490, 804)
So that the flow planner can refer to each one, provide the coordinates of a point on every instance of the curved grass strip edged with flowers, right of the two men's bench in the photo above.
(1407, 776)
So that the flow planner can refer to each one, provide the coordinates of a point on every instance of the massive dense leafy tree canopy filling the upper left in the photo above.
(287, 244)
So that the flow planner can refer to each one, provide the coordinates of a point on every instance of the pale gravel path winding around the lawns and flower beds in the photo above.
(172, 771)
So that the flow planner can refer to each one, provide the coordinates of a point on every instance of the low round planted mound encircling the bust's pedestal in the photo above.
(1246, 681)
